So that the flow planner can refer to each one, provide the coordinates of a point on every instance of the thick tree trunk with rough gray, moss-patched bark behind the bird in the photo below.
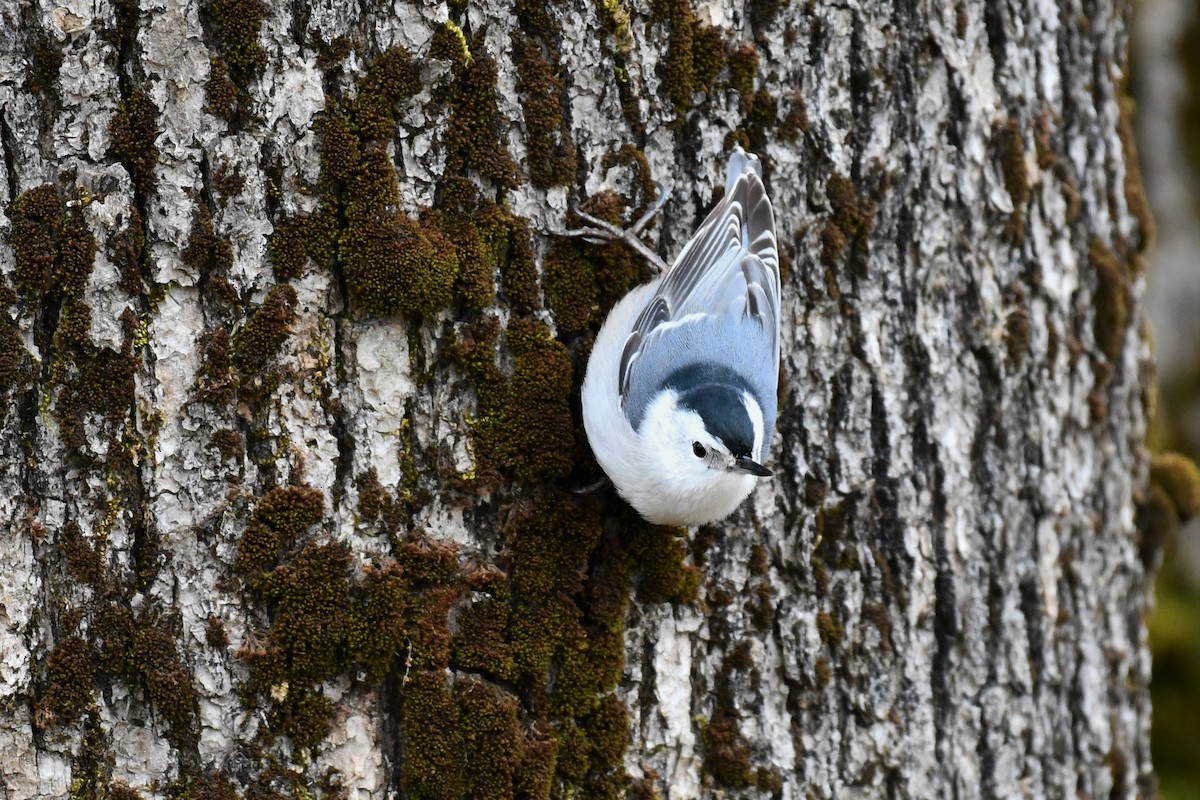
(291, 372)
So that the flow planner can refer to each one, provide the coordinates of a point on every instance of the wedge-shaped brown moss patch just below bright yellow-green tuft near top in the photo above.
(476, 131)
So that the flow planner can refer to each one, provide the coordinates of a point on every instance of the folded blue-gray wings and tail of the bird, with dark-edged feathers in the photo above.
(729, 268)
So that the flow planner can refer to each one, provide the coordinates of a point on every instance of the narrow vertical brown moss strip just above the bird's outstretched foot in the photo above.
(551, 153)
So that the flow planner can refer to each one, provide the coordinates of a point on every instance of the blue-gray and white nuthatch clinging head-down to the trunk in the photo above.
(680, 395)
